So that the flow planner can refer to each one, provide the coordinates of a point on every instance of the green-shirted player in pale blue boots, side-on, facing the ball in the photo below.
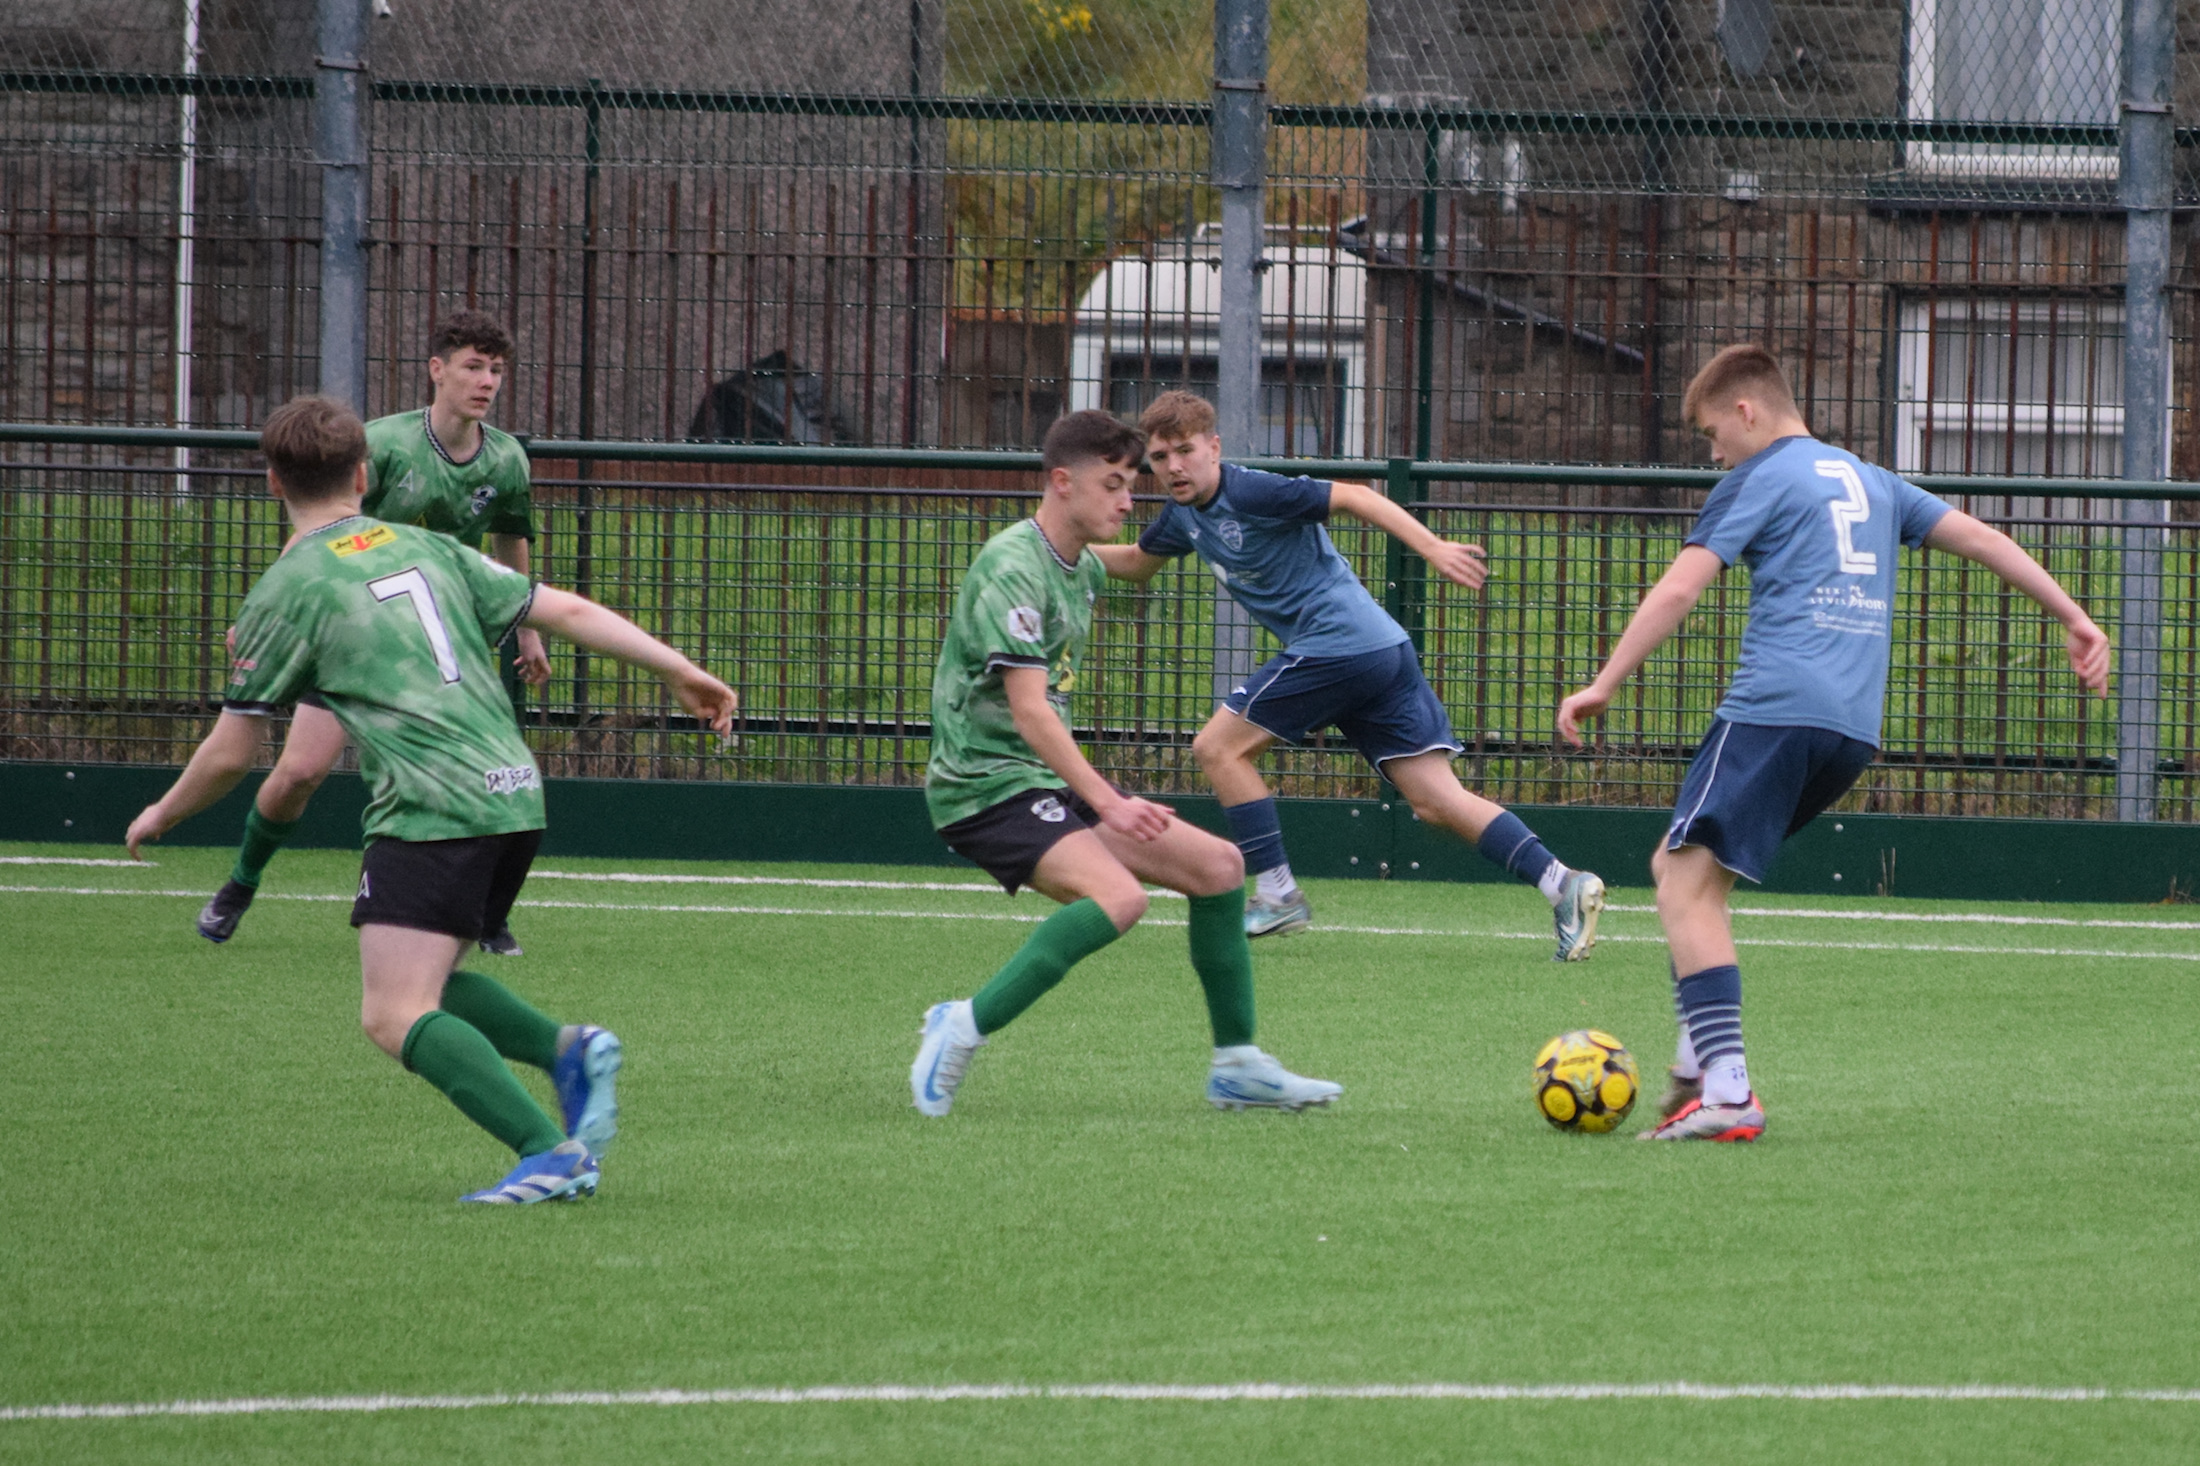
(1009, 789)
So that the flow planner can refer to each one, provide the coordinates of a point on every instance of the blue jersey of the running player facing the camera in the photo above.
(1264, 538)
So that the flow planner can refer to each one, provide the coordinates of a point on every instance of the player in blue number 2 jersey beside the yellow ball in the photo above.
(1820, 532)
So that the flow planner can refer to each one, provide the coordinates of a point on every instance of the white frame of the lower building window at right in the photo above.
(1992, 417)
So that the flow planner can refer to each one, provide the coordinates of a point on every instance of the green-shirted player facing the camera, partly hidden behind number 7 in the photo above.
(445, 470)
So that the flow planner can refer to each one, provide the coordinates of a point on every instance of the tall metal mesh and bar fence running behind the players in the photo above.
(1501, 232)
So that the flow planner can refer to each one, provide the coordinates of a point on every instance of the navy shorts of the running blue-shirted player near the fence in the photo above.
(1378, 701)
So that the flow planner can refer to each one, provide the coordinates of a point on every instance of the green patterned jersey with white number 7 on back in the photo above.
(395, 628)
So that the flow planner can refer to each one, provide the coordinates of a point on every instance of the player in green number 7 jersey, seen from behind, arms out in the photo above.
(397, 628)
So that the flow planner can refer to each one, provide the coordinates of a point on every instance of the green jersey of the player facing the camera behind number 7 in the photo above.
(412, 481)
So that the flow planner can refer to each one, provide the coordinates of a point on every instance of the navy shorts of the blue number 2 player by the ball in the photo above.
(1752, 787)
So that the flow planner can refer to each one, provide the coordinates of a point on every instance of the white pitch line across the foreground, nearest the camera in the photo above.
(1202, 1394)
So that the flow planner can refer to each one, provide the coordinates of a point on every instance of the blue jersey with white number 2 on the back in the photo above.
(1820, 532)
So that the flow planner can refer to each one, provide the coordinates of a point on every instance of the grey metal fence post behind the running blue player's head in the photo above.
(1240, 171)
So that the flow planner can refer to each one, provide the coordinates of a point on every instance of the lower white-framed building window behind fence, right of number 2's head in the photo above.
(2010, 386)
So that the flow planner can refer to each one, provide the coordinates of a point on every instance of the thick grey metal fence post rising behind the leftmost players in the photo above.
(340, 94)
